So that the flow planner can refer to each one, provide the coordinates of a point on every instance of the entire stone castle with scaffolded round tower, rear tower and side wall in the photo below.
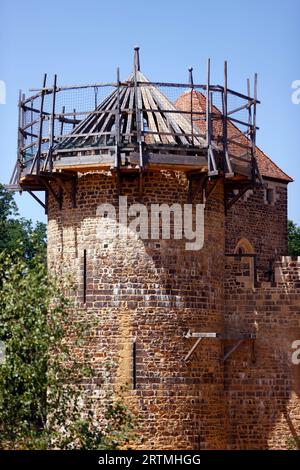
(200, 341)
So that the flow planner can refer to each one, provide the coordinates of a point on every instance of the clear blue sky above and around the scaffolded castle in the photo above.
(85, 42)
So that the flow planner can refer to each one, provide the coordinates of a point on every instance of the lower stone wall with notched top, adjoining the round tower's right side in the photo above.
(261, 383)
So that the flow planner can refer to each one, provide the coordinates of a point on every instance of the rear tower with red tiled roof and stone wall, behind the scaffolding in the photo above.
(252, 217)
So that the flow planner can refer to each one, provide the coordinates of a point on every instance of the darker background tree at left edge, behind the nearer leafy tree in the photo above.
(19, 234)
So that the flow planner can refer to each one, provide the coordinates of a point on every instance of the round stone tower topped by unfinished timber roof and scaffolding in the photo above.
(153, 309)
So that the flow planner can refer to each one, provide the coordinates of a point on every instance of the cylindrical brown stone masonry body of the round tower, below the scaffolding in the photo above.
(151, 292)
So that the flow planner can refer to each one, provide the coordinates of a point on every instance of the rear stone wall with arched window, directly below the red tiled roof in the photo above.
(262, 223)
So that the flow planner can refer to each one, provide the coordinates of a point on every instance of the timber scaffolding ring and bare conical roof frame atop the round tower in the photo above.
(136, 128)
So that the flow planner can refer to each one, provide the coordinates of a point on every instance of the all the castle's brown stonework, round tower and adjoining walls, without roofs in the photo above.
(154, 291)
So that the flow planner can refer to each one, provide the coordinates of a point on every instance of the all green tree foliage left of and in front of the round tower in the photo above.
(41, 381)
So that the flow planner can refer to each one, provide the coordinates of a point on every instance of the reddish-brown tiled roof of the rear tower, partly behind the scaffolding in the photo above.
(266, 166)
